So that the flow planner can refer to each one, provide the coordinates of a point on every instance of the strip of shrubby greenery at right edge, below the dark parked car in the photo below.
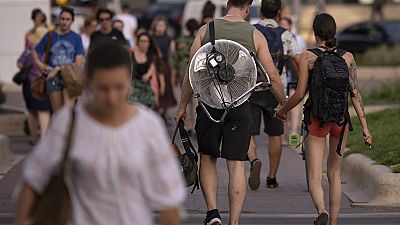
(386, 94)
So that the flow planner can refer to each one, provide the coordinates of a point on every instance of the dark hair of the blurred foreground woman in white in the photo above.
(108, 55)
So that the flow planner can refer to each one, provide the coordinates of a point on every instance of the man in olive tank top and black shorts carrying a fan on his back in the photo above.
(235, 142)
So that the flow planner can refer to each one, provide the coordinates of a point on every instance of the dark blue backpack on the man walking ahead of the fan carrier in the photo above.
(275, 44)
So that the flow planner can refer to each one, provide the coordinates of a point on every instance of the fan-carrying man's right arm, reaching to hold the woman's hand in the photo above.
(265, 59)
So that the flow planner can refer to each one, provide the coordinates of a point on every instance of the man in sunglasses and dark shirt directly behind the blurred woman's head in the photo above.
(107, 32)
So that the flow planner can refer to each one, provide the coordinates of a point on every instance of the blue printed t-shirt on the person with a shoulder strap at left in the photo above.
(64, 48)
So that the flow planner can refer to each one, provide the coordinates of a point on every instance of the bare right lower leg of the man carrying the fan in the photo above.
(236, 189)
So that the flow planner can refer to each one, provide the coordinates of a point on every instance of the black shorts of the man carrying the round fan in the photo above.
(234, 133)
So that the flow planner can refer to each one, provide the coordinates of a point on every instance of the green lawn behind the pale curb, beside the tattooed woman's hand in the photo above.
(386, 138)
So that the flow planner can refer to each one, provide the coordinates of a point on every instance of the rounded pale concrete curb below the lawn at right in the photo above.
(368, 184)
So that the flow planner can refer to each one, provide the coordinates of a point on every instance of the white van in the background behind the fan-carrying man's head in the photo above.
(193, 10)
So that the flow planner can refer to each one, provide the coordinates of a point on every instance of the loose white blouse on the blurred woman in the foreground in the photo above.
(115, 175)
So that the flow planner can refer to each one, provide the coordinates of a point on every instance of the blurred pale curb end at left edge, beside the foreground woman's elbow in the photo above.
(7, 159)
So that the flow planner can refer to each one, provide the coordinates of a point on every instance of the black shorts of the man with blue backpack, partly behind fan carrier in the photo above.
(263, 103)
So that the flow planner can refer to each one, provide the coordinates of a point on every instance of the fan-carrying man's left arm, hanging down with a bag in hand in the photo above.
(187, 91)
